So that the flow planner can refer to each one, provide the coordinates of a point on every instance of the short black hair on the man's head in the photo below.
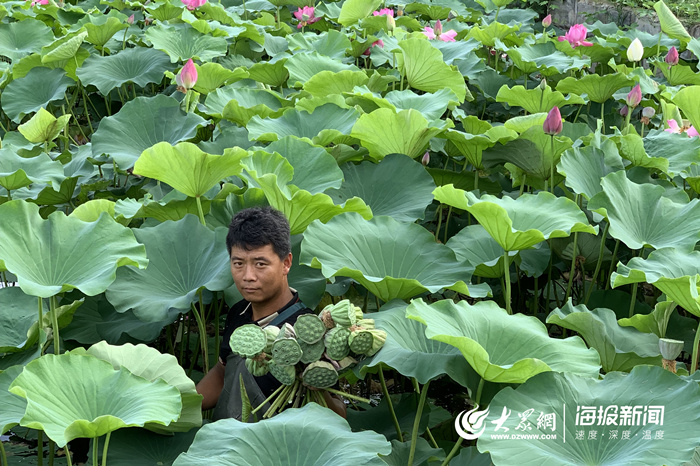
(257, 227)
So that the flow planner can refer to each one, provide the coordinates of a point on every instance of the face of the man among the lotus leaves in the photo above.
(260, 275)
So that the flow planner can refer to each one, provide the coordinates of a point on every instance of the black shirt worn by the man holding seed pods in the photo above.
(241, 314)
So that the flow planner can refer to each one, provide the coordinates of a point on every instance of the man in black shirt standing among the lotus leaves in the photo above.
(260, 252)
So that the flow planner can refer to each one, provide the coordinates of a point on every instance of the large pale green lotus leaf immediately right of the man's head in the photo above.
(366, 251)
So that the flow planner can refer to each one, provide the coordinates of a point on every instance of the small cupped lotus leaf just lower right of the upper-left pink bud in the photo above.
(243, 104)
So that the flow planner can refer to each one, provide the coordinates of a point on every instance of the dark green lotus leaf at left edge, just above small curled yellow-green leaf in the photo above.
(34, 91)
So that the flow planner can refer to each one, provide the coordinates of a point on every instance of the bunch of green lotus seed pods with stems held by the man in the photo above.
(307, 357)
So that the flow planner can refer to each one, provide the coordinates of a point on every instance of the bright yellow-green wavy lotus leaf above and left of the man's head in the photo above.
(187, 168)
